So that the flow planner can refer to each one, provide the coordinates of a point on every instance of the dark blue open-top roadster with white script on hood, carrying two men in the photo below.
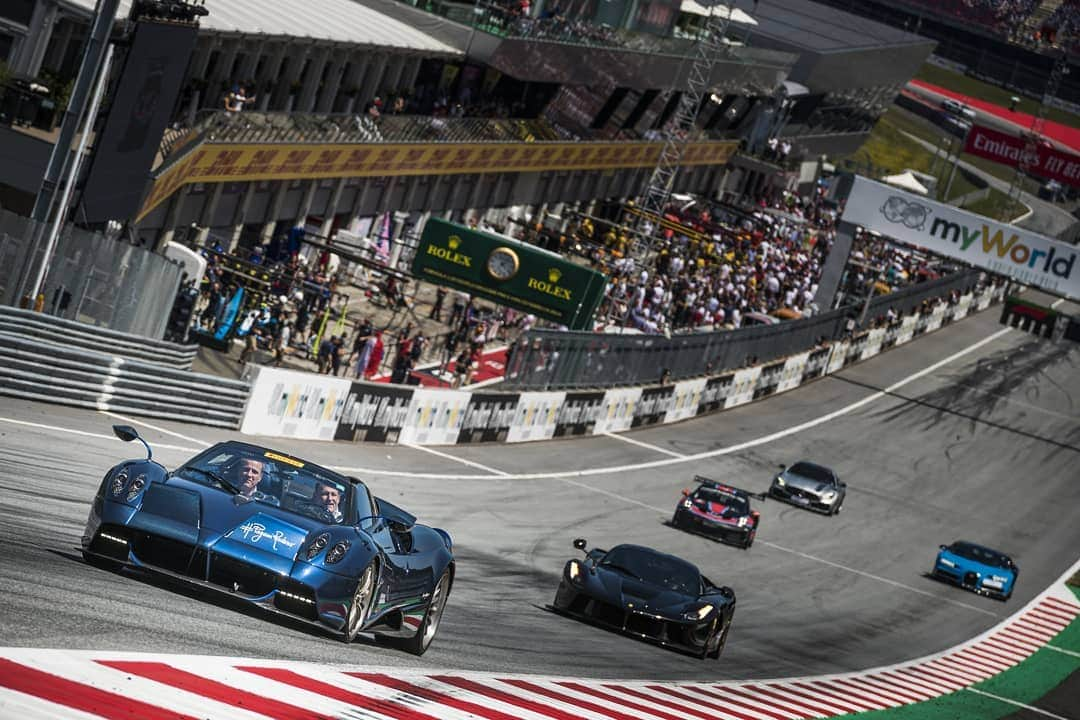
(280, 533)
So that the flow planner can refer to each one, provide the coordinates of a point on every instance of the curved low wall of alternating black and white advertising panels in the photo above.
(303, 405)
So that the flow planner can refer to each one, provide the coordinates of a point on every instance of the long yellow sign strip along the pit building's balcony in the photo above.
(245, 164)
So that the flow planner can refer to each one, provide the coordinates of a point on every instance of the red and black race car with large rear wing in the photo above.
(719, 511)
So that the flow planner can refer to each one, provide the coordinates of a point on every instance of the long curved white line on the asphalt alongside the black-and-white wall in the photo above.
(708, 454)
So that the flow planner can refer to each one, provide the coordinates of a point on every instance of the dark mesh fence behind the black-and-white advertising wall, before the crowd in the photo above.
(549, 360)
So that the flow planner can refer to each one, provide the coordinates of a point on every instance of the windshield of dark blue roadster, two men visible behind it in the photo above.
(272, 479)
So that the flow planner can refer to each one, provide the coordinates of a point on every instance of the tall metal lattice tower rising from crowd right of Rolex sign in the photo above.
(643, 221)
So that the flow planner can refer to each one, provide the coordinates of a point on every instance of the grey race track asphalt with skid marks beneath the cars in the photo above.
(984, 447)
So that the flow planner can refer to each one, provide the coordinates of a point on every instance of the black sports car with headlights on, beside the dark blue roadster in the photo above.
(650, 595)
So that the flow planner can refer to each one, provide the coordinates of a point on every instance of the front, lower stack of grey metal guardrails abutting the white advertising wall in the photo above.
(38, 370)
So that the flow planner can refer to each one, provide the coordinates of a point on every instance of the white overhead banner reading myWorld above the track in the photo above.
(1024, 256)
